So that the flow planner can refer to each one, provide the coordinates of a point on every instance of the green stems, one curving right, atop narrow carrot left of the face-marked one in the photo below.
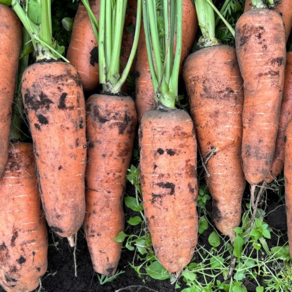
(108, 33)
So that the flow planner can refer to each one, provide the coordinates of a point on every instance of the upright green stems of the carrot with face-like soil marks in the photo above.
(162, 21)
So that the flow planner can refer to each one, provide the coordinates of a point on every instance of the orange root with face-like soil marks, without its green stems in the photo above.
(168, 172)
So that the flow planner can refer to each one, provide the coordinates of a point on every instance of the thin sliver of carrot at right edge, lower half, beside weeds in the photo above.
(287, 175)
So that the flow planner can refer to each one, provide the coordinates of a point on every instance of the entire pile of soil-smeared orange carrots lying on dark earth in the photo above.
(240, 116)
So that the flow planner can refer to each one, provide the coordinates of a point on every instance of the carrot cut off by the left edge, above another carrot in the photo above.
(10, 46)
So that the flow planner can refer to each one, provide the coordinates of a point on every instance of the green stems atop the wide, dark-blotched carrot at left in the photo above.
(38, 23)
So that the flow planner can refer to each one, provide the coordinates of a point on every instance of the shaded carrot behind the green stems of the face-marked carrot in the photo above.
(144, 88)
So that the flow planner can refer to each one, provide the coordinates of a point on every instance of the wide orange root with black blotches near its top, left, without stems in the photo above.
(55, 107)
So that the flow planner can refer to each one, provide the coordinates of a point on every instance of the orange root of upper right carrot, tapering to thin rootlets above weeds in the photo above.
(261, 53)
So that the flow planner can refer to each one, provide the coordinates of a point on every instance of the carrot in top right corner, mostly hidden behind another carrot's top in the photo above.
(285, 10)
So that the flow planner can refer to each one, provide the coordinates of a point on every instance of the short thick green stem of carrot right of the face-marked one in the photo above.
(206, 20)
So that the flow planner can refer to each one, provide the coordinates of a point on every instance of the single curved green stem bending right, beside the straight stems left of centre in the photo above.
(126, 71)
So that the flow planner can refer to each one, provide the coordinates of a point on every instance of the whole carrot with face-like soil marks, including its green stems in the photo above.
(168, 158)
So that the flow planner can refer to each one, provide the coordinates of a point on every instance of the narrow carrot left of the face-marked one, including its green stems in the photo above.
(111, 124)
